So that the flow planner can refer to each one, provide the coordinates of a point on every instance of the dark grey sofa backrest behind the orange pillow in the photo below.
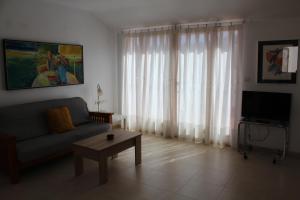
(30, 120)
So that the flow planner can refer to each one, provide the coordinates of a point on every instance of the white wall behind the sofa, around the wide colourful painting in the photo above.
(39, 21)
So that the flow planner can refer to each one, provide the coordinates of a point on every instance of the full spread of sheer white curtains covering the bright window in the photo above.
(185, 84)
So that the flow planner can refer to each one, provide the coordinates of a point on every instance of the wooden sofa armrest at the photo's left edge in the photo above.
(8, 156)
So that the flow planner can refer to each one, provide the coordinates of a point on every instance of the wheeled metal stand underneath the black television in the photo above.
(265, 123)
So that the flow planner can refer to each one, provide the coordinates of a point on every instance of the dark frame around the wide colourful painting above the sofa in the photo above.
(6, 65)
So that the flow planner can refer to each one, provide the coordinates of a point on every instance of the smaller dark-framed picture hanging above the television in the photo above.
(270, 62)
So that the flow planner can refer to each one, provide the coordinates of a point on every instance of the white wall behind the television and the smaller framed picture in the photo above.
(263, 30)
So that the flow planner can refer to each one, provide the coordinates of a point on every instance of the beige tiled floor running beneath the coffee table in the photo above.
(170, 170)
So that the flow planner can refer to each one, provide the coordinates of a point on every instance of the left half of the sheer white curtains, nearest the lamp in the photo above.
(146, 81)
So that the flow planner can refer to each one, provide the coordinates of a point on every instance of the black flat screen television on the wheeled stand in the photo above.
(266, 106)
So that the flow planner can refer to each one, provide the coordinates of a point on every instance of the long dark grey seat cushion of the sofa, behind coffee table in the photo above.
(51, 143)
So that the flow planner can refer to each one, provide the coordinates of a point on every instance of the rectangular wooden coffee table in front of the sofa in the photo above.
(98, 148)
